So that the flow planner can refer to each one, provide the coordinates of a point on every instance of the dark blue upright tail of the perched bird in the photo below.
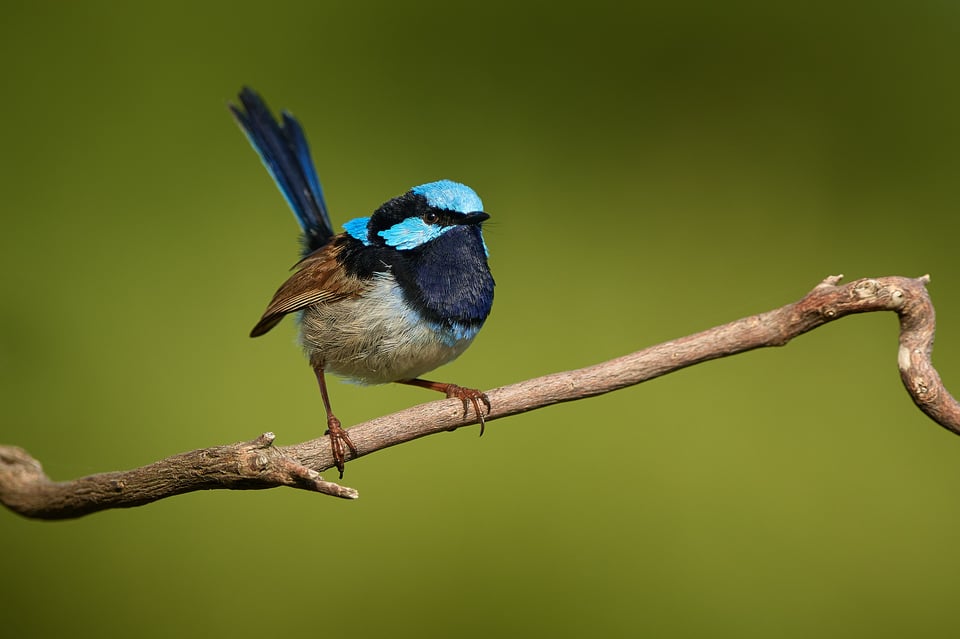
(283, 148)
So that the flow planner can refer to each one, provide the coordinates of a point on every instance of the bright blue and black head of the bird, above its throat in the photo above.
(420, 216)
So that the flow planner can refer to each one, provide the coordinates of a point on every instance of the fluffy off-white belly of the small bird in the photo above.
(377, 338)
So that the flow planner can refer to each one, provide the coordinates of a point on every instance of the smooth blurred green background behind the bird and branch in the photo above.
(651, 171)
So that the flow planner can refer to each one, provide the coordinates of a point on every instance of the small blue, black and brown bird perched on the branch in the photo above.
(397, 294)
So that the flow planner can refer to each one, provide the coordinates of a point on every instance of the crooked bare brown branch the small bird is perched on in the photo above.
(24, 488)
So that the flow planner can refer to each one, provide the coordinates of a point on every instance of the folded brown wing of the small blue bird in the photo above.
(319, 279)
